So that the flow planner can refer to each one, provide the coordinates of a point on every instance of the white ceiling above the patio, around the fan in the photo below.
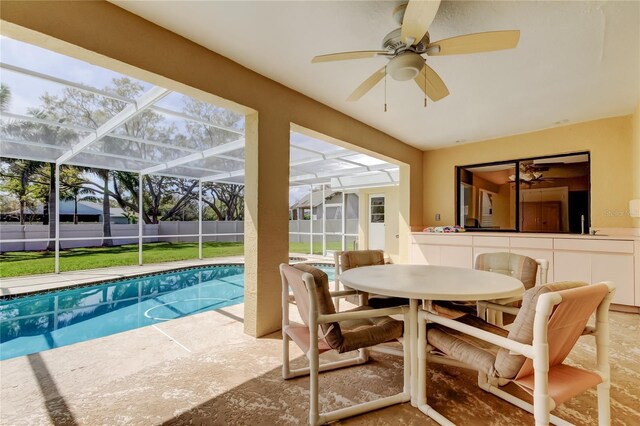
(576, 61)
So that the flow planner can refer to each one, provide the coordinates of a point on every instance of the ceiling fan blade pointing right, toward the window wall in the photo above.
(475, 43)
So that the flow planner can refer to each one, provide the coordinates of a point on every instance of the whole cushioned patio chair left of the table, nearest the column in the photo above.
(325, 330)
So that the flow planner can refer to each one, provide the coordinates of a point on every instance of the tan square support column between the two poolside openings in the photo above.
(266, 220)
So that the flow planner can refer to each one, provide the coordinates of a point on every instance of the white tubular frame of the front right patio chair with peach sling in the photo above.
(538, 352)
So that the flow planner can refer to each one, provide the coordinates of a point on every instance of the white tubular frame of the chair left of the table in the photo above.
(314, 320)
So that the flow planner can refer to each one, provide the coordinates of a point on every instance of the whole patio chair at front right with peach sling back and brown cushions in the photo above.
(545, 330)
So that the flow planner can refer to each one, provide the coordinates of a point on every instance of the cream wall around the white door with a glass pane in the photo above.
(391, 220)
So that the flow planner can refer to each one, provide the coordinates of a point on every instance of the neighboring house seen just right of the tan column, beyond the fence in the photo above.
(333, 205)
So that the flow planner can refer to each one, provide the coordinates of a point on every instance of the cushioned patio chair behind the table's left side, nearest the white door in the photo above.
(345, 260)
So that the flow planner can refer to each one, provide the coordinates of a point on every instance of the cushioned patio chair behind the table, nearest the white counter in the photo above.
(521, 267)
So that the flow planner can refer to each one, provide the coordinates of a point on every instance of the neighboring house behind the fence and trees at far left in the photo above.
(88, 212)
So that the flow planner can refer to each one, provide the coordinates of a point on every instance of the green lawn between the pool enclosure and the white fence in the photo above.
(14, 264)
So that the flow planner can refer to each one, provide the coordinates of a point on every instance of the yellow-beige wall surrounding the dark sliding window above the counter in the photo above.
(609, 140)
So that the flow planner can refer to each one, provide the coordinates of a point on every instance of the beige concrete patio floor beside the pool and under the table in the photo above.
(204, 370)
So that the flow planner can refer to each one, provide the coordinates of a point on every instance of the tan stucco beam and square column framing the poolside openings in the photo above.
(104, 34)
